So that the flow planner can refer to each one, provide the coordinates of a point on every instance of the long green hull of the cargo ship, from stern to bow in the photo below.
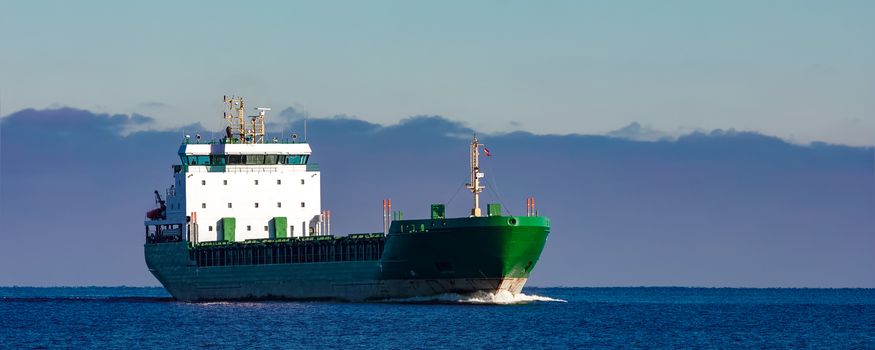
(420, 258)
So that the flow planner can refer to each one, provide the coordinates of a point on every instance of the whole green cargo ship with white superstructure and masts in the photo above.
(243, 220)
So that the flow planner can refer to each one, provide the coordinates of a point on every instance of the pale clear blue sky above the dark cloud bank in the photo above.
(799, 70)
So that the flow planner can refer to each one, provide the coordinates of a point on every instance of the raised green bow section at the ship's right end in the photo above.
(462, 255)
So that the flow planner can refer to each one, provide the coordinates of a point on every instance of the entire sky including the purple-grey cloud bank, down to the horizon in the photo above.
(672, 143)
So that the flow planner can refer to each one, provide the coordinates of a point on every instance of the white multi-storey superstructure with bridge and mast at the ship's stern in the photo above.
(240, 187)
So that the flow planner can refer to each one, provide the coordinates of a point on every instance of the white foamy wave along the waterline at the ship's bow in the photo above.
(501, 297)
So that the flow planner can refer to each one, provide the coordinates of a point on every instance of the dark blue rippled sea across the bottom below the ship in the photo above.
(542, 318)
